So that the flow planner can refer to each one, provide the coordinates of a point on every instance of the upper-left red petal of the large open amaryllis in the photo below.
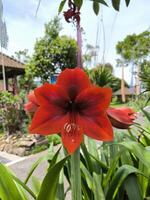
(49, 94)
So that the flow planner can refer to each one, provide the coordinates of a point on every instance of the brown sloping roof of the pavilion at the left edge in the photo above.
(12, 66)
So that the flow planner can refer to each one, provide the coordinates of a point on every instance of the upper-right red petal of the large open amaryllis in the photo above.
(94, 101)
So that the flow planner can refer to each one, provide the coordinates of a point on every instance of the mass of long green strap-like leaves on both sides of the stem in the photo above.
(117, 170)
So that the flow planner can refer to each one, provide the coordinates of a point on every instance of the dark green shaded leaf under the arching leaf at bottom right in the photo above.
(133, 188)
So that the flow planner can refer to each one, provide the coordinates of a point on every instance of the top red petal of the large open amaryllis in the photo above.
(74, 81)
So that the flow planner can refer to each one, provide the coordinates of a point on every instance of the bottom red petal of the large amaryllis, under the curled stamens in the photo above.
(72, 135)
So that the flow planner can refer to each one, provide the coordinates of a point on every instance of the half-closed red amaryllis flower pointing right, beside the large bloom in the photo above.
(121, 118)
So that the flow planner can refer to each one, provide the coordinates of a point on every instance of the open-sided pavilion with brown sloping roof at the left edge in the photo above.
(13, 68)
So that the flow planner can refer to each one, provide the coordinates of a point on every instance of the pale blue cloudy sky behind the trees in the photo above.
(24, 27)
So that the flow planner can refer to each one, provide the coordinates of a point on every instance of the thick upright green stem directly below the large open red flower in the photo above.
(76, 175)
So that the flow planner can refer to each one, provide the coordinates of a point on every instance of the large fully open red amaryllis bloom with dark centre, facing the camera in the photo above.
(72, 107)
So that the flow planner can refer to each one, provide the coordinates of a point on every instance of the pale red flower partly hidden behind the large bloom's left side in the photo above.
(32, 105)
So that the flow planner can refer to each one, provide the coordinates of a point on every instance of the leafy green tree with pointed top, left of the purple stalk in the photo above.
(52, 52)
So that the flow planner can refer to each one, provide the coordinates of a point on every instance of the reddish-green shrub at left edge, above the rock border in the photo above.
(12, 114)
